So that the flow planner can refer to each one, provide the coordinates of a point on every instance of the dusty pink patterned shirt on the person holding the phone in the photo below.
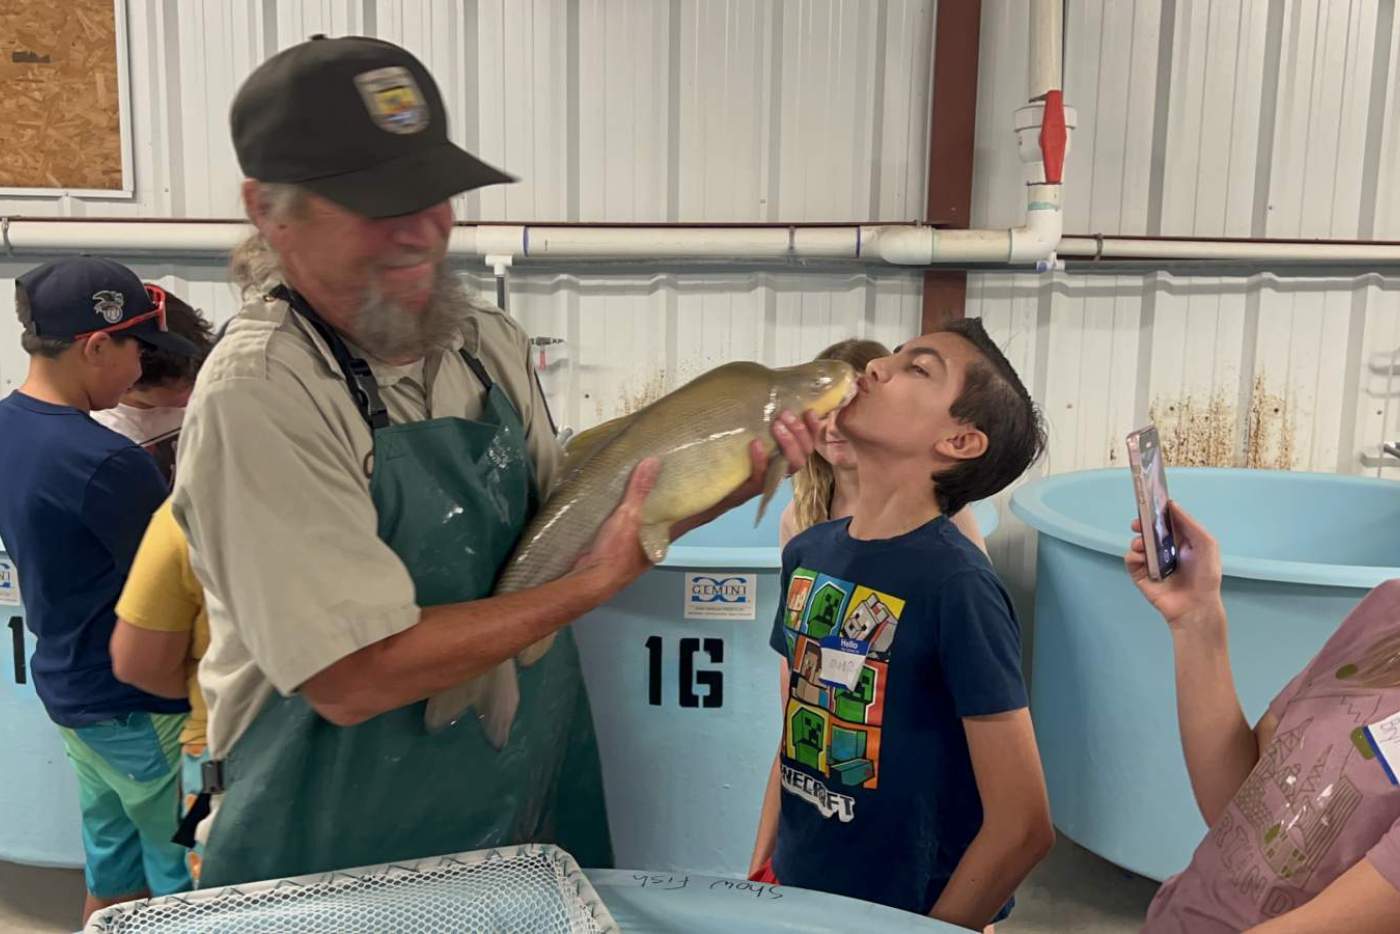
(1318, 802)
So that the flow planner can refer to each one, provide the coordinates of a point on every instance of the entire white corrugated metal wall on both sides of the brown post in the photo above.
(1268, 118)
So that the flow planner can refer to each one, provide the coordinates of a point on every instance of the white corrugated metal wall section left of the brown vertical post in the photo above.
(608, 111)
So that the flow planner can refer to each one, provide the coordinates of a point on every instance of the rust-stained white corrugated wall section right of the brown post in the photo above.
(1206, 118)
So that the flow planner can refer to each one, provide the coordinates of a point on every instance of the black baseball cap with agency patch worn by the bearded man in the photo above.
(358, 121)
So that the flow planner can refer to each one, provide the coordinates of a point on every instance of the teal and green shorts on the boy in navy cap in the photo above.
(129, 793)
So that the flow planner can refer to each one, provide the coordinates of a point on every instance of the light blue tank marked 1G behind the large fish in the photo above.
(685, 695)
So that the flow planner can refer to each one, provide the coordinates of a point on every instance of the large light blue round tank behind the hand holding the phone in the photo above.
(1298, 550)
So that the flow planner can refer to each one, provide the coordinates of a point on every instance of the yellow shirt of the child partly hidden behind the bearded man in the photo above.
(163, 594)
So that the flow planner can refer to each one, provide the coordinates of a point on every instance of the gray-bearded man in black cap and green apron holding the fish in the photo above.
(360, 454)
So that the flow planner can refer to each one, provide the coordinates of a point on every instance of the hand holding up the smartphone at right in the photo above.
(1192, 596)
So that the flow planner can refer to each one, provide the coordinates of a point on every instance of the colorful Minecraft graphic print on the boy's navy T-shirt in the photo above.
(834, 725)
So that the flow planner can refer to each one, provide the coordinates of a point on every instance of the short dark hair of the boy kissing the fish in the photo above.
(993, 400)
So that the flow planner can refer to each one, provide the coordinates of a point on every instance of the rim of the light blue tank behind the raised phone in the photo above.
(1028, 503)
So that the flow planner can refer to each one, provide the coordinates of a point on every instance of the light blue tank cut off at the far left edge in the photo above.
(40, 821)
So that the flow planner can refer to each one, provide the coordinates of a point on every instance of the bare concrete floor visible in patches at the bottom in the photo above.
(1072, 891)
